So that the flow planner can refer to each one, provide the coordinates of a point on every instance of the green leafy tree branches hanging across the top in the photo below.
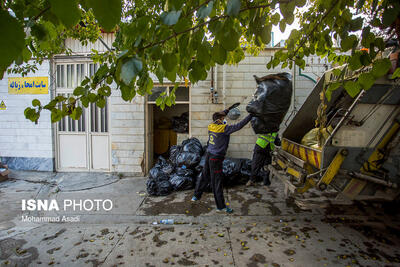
(181, 40)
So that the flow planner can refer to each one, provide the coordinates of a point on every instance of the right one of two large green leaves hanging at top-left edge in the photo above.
(107, 12)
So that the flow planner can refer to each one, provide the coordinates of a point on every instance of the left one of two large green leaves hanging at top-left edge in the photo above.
(66, 11)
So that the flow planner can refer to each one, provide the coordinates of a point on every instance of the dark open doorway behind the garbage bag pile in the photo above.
(168, 127)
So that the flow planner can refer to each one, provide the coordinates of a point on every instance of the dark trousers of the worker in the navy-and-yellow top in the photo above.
(212, 170)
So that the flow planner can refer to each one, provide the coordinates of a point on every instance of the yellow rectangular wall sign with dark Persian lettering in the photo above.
(28, 85)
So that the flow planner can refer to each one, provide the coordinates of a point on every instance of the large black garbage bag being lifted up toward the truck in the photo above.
(271, 102)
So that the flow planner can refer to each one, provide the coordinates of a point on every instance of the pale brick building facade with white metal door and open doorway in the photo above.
(125, 137)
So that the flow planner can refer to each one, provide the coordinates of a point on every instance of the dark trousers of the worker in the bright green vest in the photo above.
(261, 157)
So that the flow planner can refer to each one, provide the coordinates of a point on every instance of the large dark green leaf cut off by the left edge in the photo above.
(12, 40)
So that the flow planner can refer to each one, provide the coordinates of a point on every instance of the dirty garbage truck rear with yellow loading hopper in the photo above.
(355, 155)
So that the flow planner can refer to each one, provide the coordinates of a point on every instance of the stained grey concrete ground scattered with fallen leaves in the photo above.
(266, 228)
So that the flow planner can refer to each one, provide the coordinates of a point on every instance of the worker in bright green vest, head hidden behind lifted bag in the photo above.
(265, 144)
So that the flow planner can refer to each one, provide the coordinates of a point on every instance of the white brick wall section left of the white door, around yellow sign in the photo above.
(25, 145)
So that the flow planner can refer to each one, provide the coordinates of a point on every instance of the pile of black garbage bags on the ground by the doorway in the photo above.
(183, 168)
